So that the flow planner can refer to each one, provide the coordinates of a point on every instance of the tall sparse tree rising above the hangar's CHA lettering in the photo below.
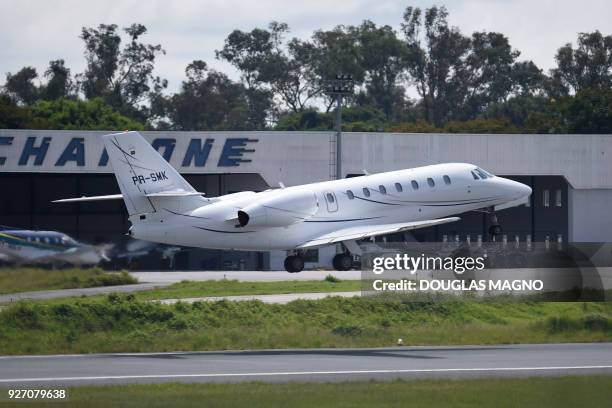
(122, 77)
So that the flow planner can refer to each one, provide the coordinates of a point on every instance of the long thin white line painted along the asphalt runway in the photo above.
(298, 373)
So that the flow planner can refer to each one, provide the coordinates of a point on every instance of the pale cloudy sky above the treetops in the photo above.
(33, 32)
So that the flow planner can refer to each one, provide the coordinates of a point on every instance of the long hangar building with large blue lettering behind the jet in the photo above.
(571, 178)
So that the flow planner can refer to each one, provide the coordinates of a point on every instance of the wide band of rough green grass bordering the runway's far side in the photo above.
(124, 323)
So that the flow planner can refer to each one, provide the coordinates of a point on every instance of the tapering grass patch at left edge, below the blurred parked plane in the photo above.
(17, 279)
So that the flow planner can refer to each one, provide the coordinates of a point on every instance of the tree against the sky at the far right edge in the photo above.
(587, 66)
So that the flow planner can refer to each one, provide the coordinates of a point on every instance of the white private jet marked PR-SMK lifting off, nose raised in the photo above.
(164, 208)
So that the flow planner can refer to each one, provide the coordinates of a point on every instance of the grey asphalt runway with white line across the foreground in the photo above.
(308, 365)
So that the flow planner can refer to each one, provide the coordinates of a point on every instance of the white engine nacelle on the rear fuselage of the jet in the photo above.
(280, 210)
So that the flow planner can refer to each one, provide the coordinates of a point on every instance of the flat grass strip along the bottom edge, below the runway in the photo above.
(587, 391)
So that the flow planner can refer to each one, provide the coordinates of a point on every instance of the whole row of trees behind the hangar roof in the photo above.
(428, 77)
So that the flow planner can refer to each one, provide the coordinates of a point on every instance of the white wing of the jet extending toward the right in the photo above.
(355, 233)
